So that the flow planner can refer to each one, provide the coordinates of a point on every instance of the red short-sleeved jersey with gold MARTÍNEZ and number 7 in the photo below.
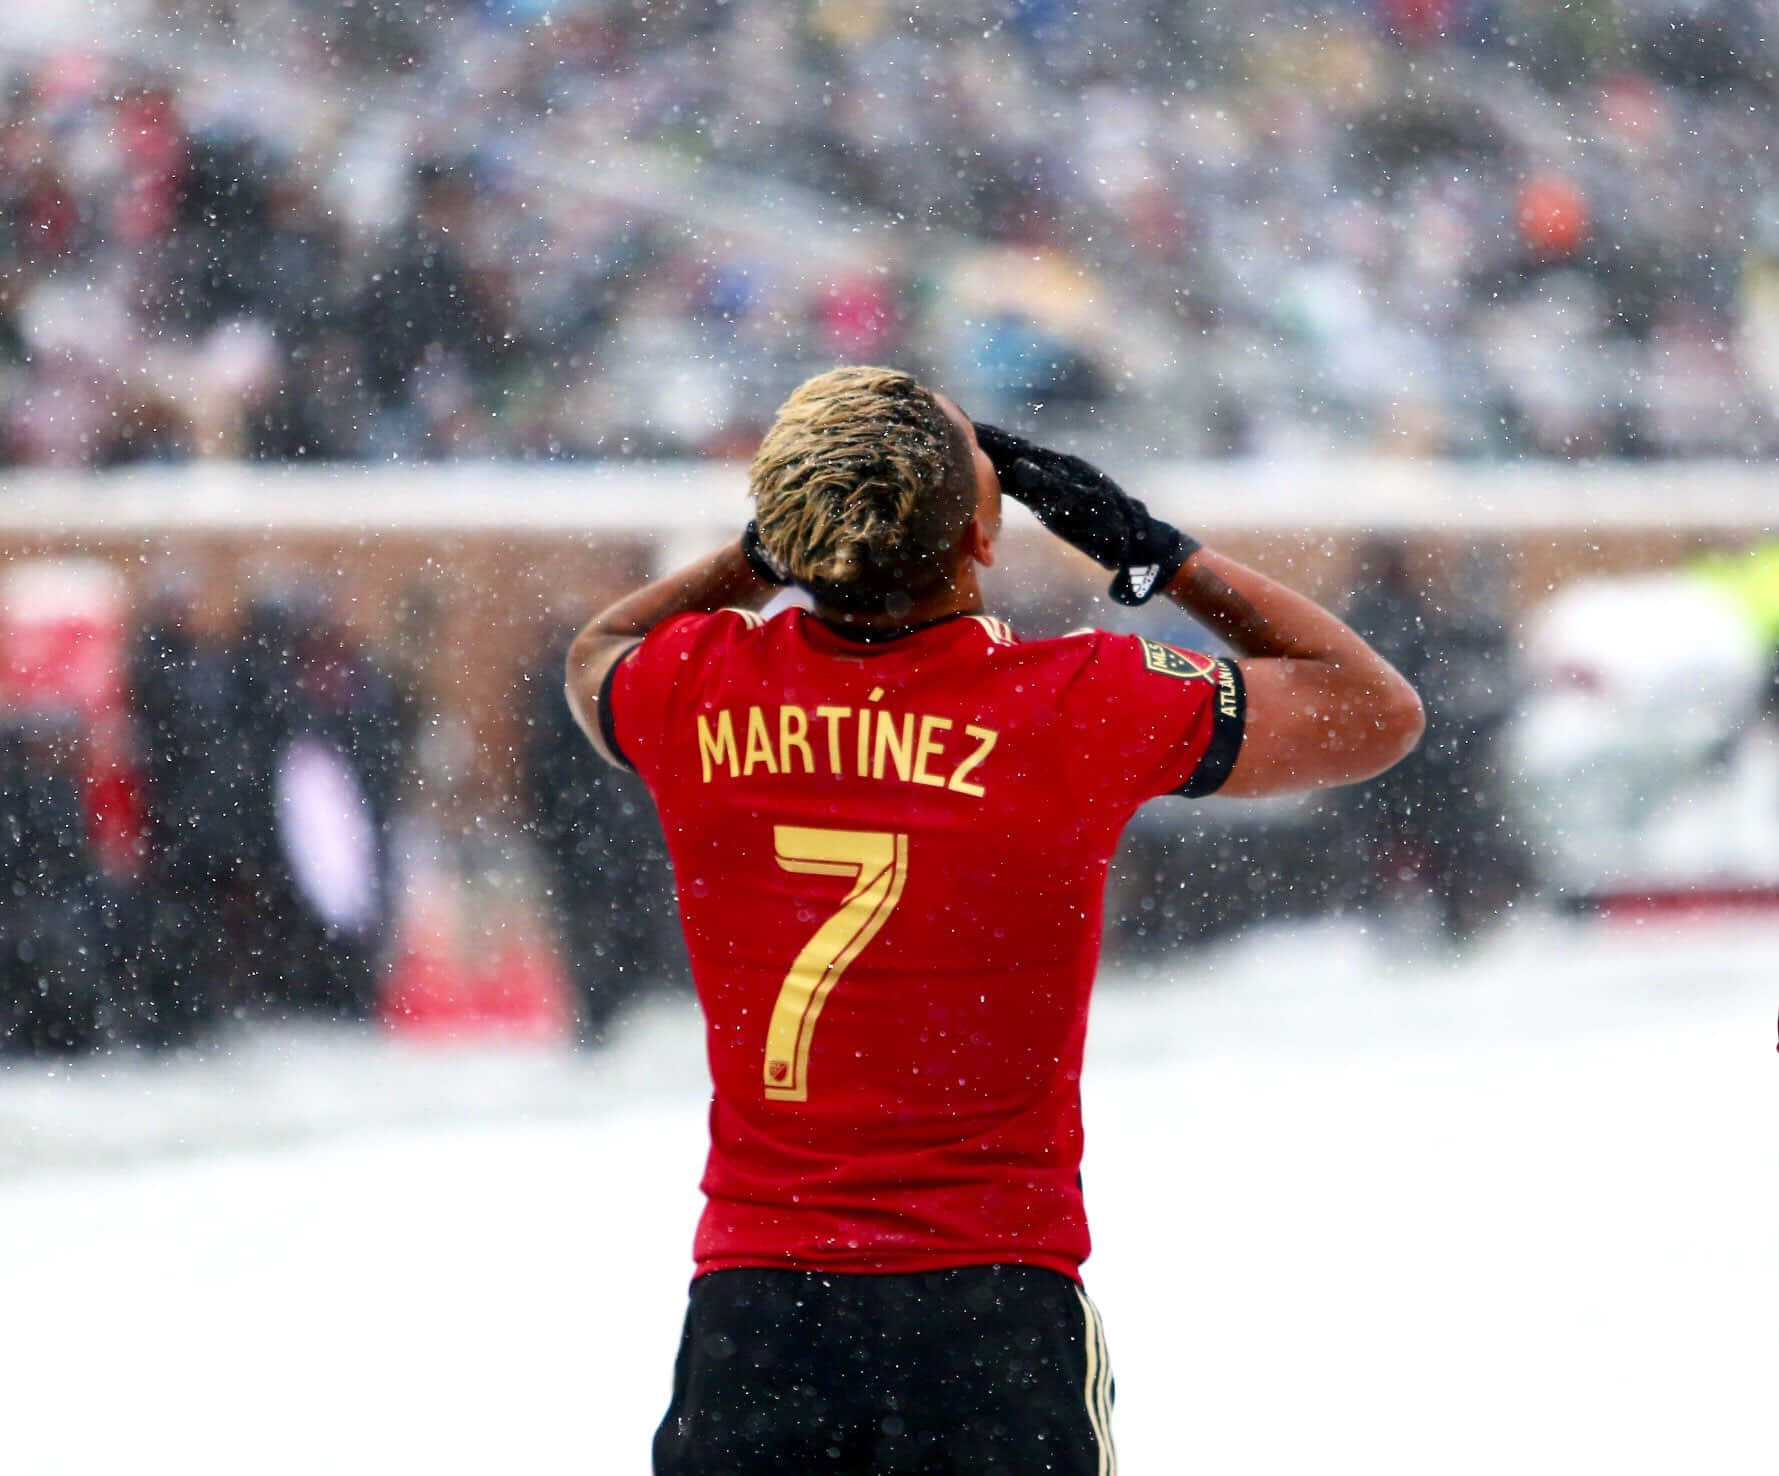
(890, 862)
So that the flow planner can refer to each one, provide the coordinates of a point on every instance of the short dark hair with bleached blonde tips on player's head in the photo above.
(862, 488)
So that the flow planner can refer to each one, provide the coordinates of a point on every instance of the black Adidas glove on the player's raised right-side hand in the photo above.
(1088, 509)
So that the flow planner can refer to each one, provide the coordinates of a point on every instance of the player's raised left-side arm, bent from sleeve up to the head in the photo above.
(734, 575)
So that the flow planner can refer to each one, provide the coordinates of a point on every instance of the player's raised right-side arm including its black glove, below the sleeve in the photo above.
(1323, 707)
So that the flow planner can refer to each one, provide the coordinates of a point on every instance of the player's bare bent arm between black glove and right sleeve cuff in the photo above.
(1324, 709)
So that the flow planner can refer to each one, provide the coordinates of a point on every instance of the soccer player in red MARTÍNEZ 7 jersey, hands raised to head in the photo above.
(890, 824)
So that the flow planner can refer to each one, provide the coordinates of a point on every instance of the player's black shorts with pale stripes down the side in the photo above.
(983, 1370)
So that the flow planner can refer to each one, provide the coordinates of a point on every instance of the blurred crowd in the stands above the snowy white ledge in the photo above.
(499, 229)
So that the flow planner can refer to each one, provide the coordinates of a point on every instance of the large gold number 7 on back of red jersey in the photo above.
(878, 865)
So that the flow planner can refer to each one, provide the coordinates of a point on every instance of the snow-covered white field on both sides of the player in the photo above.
(1356, 1210)
